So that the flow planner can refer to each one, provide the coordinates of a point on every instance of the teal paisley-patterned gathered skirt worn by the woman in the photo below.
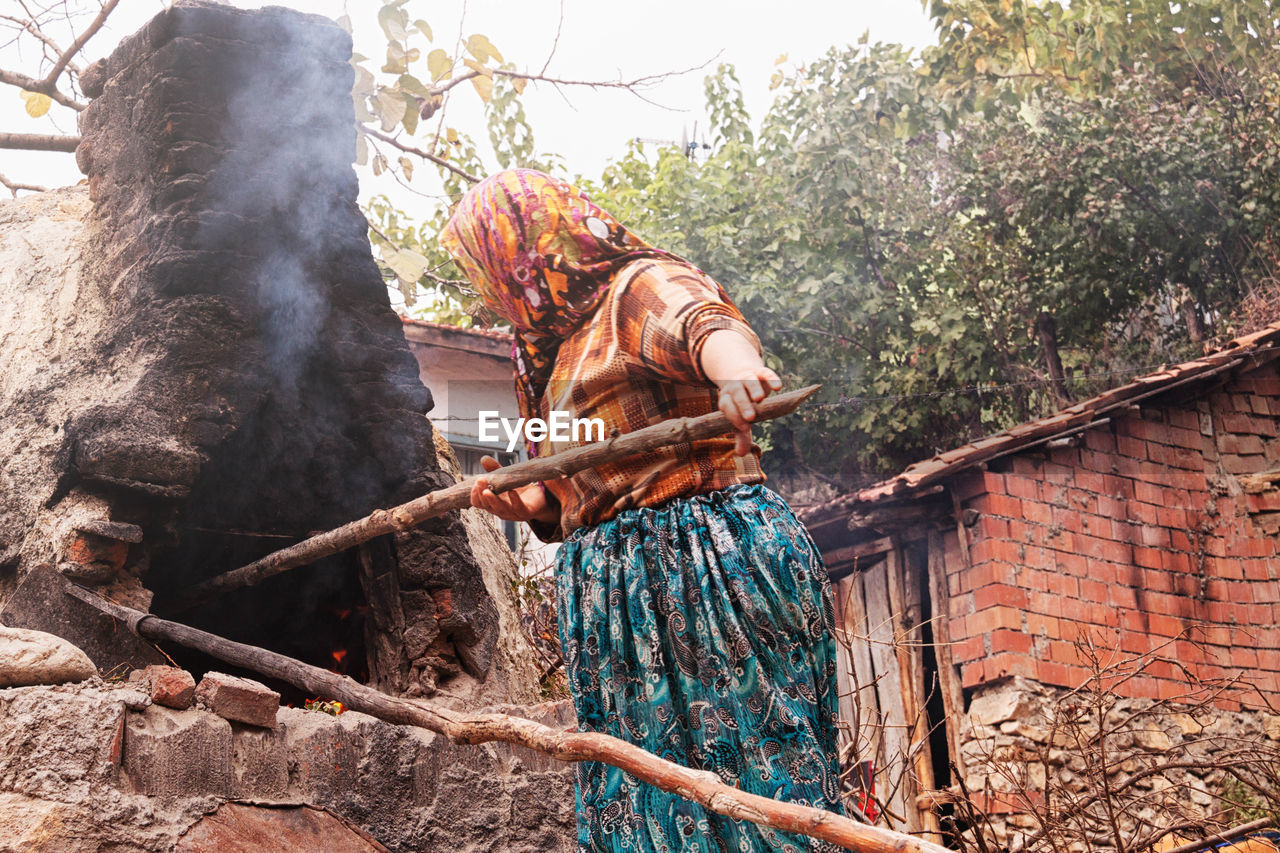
(701, 631)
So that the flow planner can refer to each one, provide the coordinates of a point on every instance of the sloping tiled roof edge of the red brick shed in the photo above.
(1250, 350)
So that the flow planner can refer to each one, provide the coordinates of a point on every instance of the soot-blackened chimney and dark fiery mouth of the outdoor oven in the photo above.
(230, 377)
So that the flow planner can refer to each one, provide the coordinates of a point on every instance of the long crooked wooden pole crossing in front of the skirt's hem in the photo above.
(700, 787)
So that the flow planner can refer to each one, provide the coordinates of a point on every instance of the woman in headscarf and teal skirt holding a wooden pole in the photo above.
(694, 610)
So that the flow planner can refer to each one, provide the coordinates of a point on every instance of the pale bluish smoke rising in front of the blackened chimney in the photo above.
(285, 179)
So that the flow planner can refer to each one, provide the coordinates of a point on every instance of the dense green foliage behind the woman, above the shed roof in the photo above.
(958, 243)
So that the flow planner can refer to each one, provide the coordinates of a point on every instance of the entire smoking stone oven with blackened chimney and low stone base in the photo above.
(199, 366)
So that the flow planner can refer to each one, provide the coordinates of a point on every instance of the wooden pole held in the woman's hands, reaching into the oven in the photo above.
(459, 496)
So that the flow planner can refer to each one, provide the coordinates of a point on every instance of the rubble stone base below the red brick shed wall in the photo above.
(1041, 759)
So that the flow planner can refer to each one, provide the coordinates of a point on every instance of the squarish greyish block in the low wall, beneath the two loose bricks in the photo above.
(179, 754)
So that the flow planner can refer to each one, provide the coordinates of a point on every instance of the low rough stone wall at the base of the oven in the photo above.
(95, 767)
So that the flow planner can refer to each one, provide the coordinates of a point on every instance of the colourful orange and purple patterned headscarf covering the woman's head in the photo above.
(542, 257)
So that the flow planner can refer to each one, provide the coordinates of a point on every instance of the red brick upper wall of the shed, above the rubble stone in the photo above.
(1140, 535)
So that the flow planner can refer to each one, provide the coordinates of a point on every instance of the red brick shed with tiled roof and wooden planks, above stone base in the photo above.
(1144, 519)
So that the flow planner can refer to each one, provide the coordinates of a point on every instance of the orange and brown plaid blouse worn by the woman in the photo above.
(634, 364)
